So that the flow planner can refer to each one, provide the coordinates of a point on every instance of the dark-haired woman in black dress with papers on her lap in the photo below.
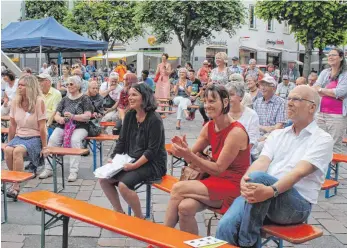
(142, 138)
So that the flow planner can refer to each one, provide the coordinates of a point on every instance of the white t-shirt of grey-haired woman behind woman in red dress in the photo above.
(250, 120)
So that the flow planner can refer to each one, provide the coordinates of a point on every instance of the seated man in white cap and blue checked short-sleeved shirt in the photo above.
(270, 109)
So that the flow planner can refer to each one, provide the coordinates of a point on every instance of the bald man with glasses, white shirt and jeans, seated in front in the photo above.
(284, 182)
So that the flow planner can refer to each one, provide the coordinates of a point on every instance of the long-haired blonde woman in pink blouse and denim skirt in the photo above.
(27, 133)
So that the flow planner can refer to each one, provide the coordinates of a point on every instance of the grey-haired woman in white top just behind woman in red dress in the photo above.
(245, 115)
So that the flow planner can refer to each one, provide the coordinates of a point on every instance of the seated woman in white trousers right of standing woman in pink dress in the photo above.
(182, 90)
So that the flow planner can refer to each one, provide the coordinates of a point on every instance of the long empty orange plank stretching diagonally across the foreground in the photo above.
(146, 231)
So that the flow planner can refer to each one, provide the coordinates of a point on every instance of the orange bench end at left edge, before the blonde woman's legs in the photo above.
(8, 176)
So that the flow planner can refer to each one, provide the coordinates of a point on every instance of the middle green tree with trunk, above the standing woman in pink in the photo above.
(191, 21)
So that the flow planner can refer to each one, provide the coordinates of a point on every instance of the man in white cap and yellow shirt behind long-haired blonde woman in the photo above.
(51, 96)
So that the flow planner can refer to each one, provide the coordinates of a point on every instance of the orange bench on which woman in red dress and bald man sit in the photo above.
(295, 234)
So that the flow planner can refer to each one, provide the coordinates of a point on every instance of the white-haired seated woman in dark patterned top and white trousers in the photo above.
(76, 107)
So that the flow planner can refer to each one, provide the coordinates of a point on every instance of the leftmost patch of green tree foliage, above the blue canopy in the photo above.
(40, 9)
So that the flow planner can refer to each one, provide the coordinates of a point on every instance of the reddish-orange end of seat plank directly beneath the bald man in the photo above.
(295, 234)
